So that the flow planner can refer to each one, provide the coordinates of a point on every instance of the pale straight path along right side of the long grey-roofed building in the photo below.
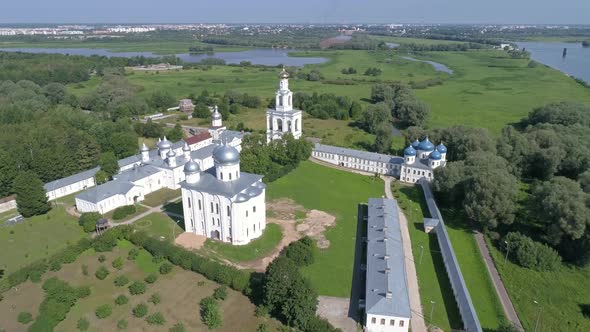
(417, 320)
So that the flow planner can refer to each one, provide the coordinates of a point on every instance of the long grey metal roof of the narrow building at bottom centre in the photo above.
(386, 288)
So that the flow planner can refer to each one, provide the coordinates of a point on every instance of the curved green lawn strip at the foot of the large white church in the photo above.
(251, 251)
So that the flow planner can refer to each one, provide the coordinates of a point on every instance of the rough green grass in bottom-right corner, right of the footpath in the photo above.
(560, 294)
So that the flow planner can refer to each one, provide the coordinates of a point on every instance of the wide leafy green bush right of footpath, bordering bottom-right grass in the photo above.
(532, 254)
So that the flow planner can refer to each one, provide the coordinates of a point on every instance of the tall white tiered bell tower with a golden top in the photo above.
(283, 118)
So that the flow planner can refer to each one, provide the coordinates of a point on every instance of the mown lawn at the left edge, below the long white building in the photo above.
(37, 237)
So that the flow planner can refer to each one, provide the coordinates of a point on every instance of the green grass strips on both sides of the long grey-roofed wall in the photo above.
(432, 278)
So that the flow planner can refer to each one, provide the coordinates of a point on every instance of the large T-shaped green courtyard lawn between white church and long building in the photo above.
(338, 193)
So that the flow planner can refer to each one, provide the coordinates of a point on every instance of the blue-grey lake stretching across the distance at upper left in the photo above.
(267, 57)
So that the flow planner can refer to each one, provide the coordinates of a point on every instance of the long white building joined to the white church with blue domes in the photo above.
(419, 161)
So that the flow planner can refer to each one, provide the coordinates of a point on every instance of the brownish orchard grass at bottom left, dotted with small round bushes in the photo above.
(179, 304)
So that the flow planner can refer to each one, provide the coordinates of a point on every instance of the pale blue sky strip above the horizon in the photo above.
(296, 11)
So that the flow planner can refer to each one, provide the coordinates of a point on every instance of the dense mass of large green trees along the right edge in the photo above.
(535, 178)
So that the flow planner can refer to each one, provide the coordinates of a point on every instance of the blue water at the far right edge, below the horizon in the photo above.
(576, 63)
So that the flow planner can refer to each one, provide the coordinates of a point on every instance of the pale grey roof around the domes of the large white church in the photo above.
(209, 183)
